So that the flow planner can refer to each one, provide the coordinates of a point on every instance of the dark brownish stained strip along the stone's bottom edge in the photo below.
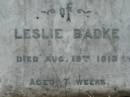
(29, 92)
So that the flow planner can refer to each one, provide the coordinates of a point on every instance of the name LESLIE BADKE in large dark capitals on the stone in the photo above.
(96, 33)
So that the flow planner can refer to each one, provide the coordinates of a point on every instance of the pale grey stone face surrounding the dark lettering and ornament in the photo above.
(22, 14)
